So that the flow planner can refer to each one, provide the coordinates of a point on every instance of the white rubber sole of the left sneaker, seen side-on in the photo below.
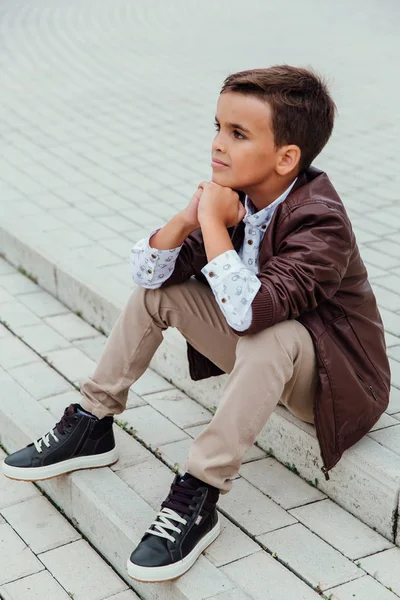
(93, 461)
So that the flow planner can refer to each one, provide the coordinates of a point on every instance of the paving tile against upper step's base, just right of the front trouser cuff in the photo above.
(279, 483)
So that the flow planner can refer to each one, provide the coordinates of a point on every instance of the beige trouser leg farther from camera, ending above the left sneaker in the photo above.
(190, 307)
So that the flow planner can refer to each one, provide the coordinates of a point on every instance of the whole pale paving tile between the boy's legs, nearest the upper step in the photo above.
(179, 408)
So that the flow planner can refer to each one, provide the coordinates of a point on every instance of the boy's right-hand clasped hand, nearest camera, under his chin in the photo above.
(220, 204)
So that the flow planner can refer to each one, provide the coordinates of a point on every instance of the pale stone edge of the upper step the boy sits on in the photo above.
(366, 482)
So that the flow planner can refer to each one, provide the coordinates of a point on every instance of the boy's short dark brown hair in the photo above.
(303, 111)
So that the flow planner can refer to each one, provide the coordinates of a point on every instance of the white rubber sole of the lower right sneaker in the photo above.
(168, 572)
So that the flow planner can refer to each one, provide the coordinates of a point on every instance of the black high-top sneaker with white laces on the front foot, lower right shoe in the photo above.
(187, 523)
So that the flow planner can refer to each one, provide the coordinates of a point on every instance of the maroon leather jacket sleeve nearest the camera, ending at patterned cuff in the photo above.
(309, 265)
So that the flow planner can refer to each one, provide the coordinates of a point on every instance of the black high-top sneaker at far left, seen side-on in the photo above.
(78, 441)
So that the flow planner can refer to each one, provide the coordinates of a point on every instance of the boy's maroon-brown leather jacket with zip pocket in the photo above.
(310, 270)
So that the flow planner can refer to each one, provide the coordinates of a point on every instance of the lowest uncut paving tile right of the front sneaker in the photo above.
(307, 555)
